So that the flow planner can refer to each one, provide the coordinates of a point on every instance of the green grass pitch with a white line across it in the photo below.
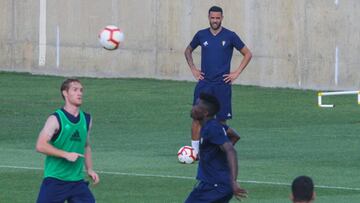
(139, 124)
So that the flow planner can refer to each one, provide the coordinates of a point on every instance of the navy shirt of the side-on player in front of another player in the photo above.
(213, 165)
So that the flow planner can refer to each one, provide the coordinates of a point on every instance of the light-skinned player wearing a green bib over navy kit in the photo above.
(64, 140)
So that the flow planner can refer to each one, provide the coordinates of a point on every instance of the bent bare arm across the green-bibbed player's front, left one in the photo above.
(42, 145)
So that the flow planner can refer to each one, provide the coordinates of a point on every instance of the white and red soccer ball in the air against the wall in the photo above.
(110, 37)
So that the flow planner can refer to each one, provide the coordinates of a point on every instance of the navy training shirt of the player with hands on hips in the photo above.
(216, 52)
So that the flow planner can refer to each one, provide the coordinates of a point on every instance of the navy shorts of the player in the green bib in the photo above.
(57, 191)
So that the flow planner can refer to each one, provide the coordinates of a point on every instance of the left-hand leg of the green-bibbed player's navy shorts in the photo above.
(53, 190)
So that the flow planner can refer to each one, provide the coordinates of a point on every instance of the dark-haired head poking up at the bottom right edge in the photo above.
(302, 188)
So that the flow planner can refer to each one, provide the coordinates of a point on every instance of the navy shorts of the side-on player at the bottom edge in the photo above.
(210, 193)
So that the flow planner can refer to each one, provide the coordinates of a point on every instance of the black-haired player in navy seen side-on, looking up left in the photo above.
(218, 166)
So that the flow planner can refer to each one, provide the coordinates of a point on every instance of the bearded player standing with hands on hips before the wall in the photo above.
(214, 77)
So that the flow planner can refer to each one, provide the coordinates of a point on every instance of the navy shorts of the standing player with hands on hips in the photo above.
(221, 91)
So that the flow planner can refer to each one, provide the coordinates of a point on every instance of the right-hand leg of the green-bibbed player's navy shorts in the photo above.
(81, 193)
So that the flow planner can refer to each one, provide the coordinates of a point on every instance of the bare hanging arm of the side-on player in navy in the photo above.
(228, 148)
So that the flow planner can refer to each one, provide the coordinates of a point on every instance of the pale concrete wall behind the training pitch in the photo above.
(294, 42)
